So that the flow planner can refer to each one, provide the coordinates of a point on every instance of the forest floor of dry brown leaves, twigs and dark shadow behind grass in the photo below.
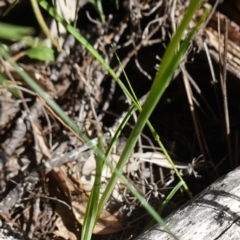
(197, 118)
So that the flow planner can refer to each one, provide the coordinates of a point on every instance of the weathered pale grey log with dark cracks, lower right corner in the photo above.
(213, 214)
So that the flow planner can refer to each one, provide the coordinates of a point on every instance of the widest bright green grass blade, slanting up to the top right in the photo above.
(160, 83)
